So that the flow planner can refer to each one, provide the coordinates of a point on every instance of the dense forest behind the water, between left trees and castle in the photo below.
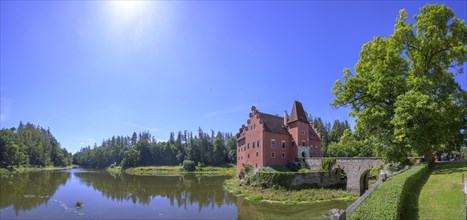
(143, 150)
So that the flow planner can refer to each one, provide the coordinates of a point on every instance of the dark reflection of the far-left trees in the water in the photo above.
(26, 191)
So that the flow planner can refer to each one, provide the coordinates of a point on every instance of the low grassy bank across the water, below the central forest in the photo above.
(174, 170)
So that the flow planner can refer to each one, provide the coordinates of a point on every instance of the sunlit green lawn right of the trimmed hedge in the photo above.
(442, 196)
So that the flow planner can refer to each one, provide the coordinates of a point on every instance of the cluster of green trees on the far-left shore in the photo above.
(31, 145)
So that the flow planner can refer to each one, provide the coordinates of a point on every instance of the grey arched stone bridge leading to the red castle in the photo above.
(356, 169)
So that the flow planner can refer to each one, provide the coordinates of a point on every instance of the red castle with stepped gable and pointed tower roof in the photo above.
(268, 140)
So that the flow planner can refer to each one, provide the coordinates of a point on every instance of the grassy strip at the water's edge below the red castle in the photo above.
(286, 196)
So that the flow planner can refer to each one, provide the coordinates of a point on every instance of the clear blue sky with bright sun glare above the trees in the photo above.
(93, 69)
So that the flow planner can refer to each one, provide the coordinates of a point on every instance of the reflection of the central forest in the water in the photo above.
(185, 190)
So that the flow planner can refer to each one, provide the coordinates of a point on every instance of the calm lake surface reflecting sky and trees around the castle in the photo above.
(53, 195)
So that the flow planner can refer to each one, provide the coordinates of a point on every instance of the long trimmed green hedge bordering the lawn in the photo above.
(391, 199)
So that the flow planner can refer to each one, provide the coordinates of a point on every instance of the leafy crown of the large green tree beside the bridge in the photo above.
(403, 92)
